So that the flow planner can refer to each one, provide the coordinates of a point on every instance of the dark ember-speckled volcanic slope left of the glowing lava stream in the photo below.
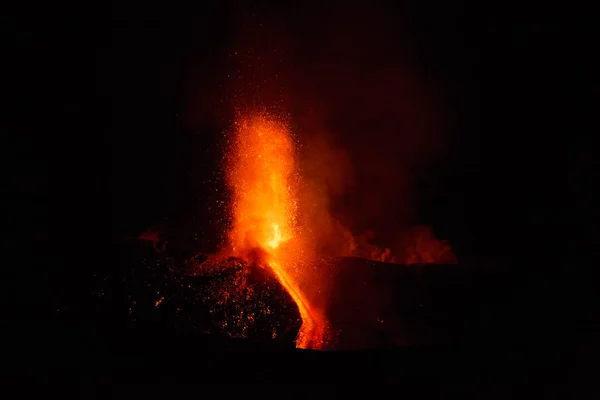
(153, 292)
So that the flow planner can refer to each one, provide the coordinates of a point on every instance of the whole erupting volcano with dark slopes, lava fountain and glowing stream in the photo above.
(289, 272)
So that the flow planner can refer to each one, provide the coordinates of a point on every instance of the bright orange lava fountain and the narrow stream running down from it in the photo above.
(263, 178)
